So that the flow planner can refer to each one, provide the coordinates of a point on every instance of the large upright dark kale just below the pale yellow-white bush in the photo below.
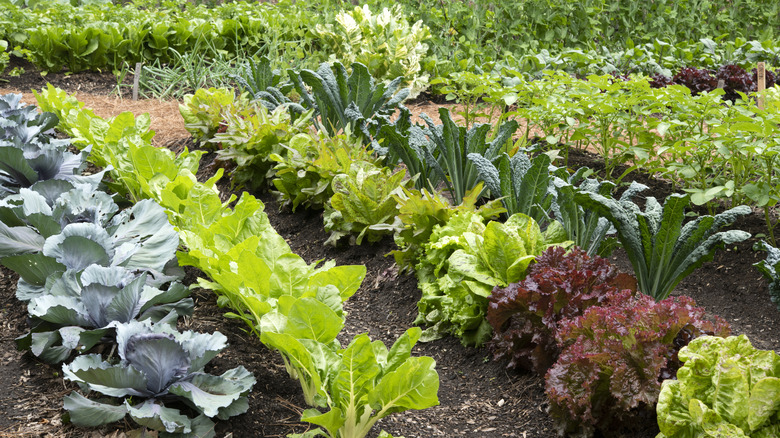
(343, 101)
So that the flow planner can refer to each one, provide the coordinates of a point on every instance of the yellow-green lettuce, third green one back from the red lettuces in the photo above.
(363, 202)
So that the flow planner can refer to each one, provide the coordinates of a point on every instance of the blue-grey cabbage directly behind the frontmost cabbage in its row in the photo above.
(76, 309)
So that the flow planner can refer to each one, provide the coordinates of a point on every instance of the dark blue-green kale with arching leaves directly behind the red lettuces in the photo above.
(662, 250)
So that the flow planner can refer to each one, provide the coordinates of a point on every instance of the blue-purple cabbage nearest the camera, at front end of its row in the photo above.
(159, 368)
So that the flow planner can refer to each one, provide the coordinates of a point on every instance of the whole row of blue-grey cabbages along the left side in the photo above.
(93, 275)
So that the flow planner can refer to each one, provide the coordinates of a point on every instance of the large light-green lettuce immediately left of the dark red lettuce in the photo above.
(462, 263)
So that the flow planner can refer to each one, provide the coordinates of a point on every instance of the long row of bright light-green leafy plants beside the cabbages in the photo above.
(295, 308)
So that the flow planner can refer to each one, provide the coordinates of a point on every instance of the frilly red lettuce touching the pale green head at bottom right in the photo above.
(615, 357)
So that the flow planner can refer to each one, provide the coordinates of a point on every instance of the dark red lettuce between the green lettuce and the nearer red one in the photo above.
(525, 316)
